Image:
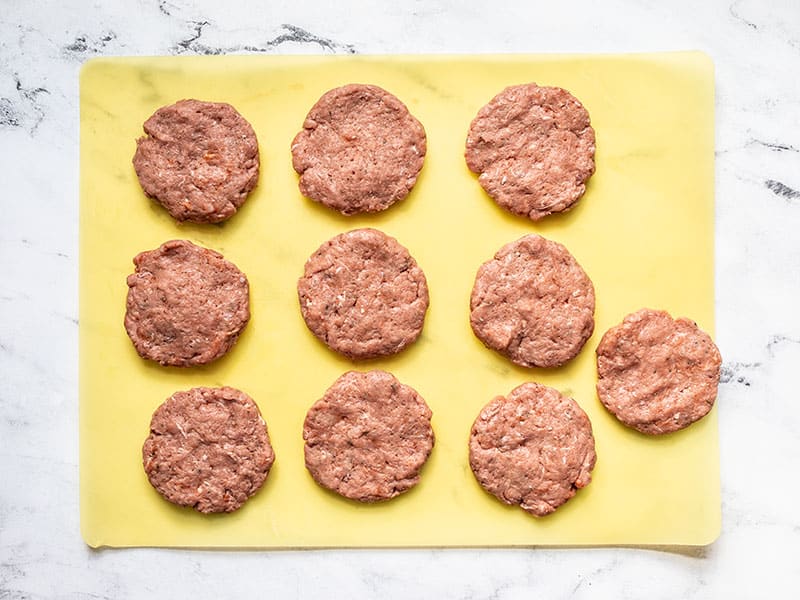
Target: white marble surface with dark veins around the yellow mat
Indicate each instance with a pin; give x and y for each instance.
(756, 48)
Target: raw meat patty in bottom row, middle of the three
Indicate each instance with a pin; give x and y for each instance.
(368, 437)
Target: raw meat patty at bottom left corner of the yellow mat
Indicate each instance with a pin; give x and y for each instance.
(208, 448)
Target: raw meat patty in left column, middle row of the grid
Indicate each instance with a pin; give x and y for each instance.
(186, 305)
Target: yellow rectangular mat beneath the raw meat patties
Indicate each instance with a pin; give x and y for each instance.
(643, 232)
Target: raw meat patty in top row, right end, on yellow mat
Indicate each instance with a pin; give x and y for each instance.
(533, 148)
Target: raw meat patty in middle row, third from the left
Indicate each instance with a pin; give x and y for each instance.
(533, 303)
